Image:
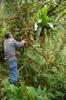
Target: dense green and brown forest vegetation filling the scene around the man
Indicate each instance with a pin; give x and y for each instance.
(42, 61)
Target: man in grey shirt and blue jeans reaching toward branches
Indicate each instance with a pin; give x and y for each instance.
(10, 44)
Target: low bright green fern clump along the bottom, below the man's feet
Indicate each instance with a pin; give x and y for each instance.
(27, 93)
